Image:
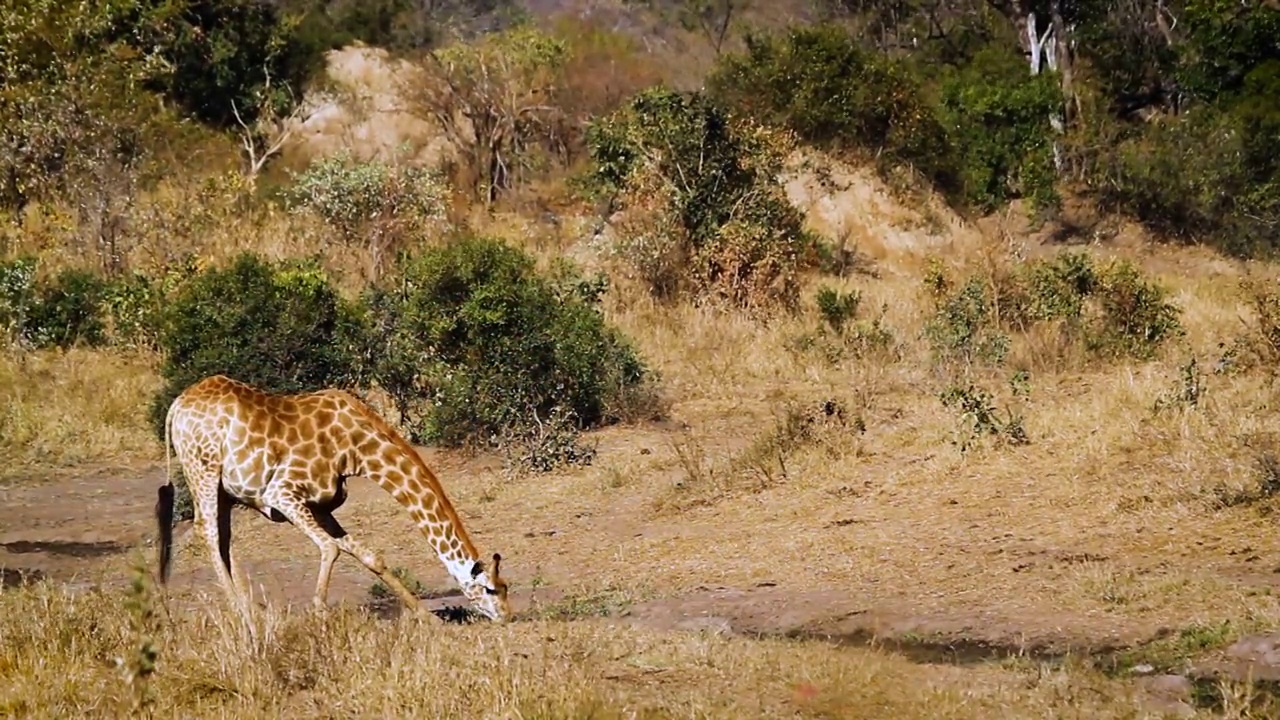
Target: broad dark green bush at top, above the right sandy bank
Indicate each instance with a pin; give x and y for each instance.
(826, 88)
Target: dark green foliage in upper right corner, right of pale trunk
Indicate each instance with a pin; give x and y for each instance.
(1212, 172)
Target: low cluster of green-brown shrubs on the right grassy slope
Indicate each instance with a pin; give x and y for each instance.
(1110, 311)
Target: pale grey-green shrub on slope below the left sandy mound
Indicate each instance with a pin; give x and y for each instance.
(374, 203)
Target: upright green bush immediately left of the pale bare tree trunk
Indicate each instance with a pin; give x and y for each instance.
(999, 120)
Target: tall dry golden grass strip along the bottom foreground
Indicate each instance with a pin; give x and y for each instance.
(351, 666)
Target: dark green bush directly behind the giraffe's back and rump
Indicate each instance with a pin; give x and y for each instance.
(282, 327)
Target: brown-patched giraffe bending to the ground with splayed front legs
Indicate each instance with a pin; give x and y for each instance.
(289, 458)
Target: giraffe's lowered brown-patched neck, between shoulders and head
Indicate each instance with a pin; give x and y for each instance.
(415, 487)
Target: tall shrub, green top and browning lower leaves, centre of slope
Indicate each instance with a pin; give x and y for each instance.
(706, 209)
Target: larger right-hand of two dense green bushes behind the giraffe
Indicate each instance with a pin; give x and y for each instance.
(473, 344)
